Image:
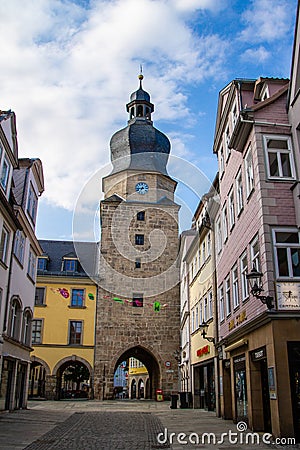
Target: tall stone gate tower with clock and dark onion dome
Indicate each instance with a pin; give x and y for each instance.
(138, 299)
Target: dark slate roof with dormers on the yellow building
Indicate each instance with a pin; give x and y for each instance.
(56, 251)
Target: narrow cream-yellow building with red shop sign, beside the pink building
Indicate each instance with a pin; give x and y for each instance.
(202, 304)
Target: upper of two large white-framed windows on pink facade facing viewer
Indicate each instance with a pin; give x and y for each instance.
(279, 157)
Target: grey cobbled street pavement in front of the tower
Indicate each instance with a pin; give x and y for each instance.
(124, 425)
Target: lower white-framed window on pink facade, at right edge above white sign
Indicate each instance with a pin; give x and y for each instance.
(287, 253)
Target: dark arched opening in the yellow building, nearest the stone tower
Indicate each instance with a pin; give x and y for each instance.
(68, 388)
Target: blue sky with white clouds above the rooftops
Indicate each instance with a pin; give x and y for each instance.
(68, 68)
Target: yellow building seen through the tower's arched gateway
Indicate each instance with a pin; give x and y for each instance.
(138, 379)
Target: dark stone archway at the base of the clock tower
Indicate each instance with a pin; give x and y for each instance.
(149, 360)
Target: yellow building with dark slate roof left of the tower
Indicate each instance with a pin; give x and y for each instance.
(63, 328)
